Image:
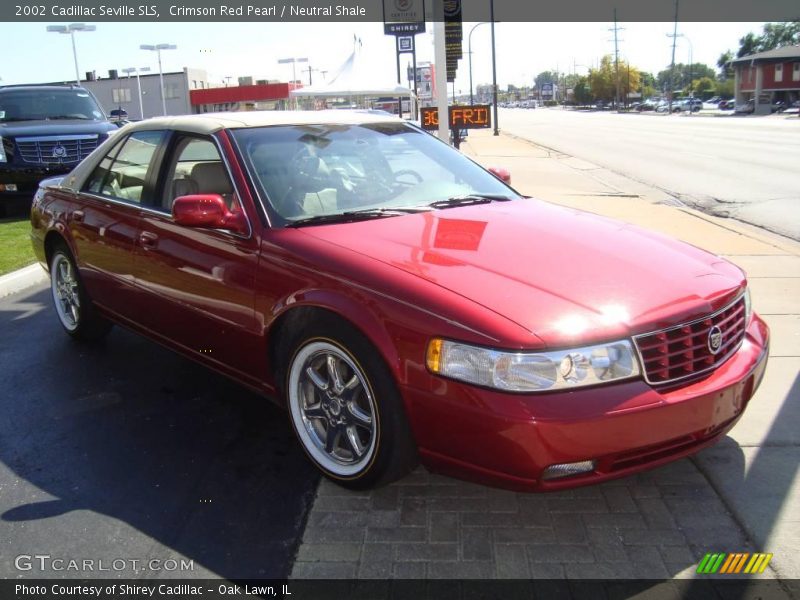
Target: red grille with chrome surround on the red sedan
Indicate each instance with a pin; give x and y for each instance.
(684, 351)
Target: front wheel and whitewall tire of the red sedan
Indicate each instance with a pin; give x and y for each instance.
(344, 406)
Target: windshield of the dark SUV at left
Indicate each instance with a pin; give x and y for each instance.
(48, 104)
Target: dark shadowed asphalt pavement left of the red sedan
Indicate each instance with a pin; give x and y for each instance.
(128, 452)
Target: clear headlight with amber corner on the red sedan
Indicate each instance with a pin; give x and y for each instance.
(532, 371)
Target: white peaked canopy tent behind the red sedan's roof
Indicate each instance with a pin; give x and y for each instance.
(355, 79)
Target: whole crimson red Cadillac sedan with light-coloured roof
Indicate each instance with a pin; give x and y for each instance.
(403, 303)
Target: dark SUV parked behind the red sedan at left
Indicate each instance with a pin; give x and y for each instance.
(45, 130)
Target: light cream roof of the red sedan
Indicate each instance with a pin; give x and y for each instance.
(213, 122)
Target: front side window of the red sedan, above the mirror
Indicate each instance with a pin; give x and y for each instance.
(197, 168)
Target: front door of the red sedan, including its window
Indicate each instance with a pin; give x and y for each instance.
(198, 283)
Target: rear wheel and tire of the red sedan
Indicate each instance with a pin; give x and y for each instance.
(74, 307)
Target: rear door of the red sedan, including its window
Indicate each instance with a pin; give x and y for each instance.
(105, 229)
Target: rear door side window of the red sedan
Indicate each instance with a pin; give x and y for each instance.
(122, 172)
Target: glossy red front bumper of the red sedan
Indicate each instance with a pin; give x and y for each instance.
(509, 440)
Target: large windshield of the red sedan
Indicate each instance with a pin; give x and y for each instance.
(307, 171)
